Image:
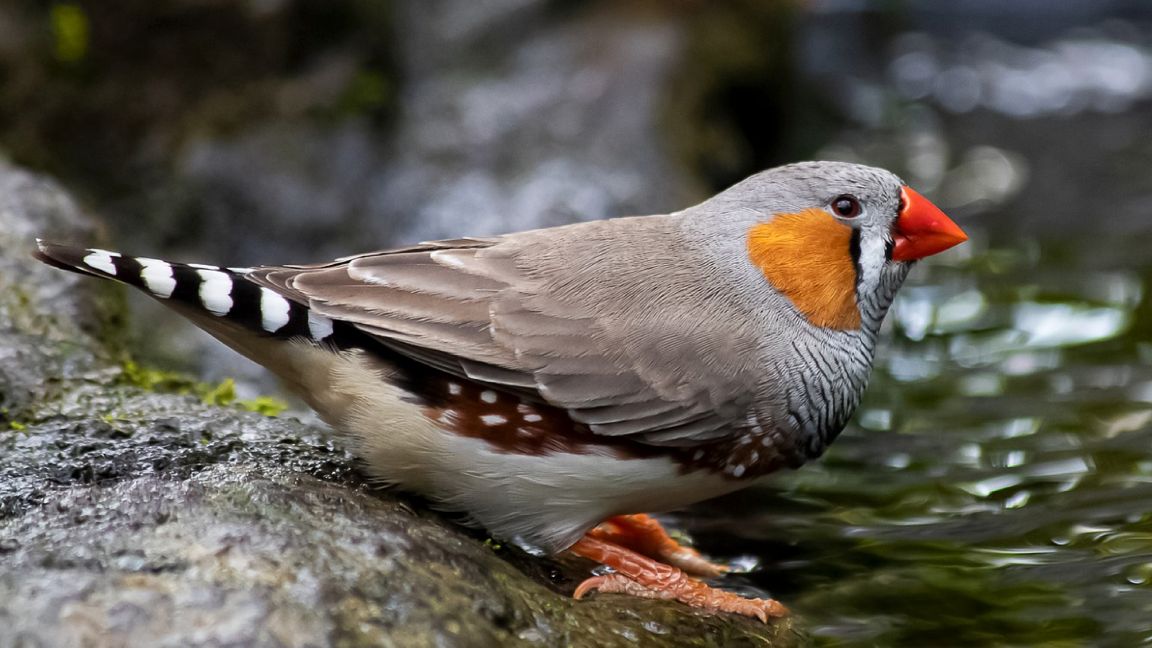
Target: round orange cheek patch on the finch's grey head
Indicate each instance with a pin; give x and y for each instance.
(806, 258)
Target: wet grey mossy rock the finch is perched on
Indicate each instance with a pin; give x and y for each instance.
(132, 517)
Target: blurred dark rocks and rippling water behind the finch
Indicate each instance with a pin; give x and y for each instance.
(996, 488)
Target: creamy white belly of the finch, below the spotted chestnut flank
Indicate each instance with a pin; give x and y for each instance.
(548, 501)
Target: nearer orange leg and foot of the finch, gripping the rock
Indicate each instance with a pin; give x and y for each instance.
(640, 576)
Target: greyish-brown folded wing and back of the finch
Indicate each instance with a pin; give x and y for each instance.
(582, 319)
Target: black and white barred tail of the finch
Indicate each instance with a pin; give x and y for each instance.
(222, 292)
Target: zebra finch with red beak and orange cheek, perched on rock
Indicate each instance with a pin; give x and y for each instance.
(557, 387)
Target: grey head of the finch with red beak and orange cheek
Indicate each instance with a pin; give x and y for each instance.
(837, 239)
